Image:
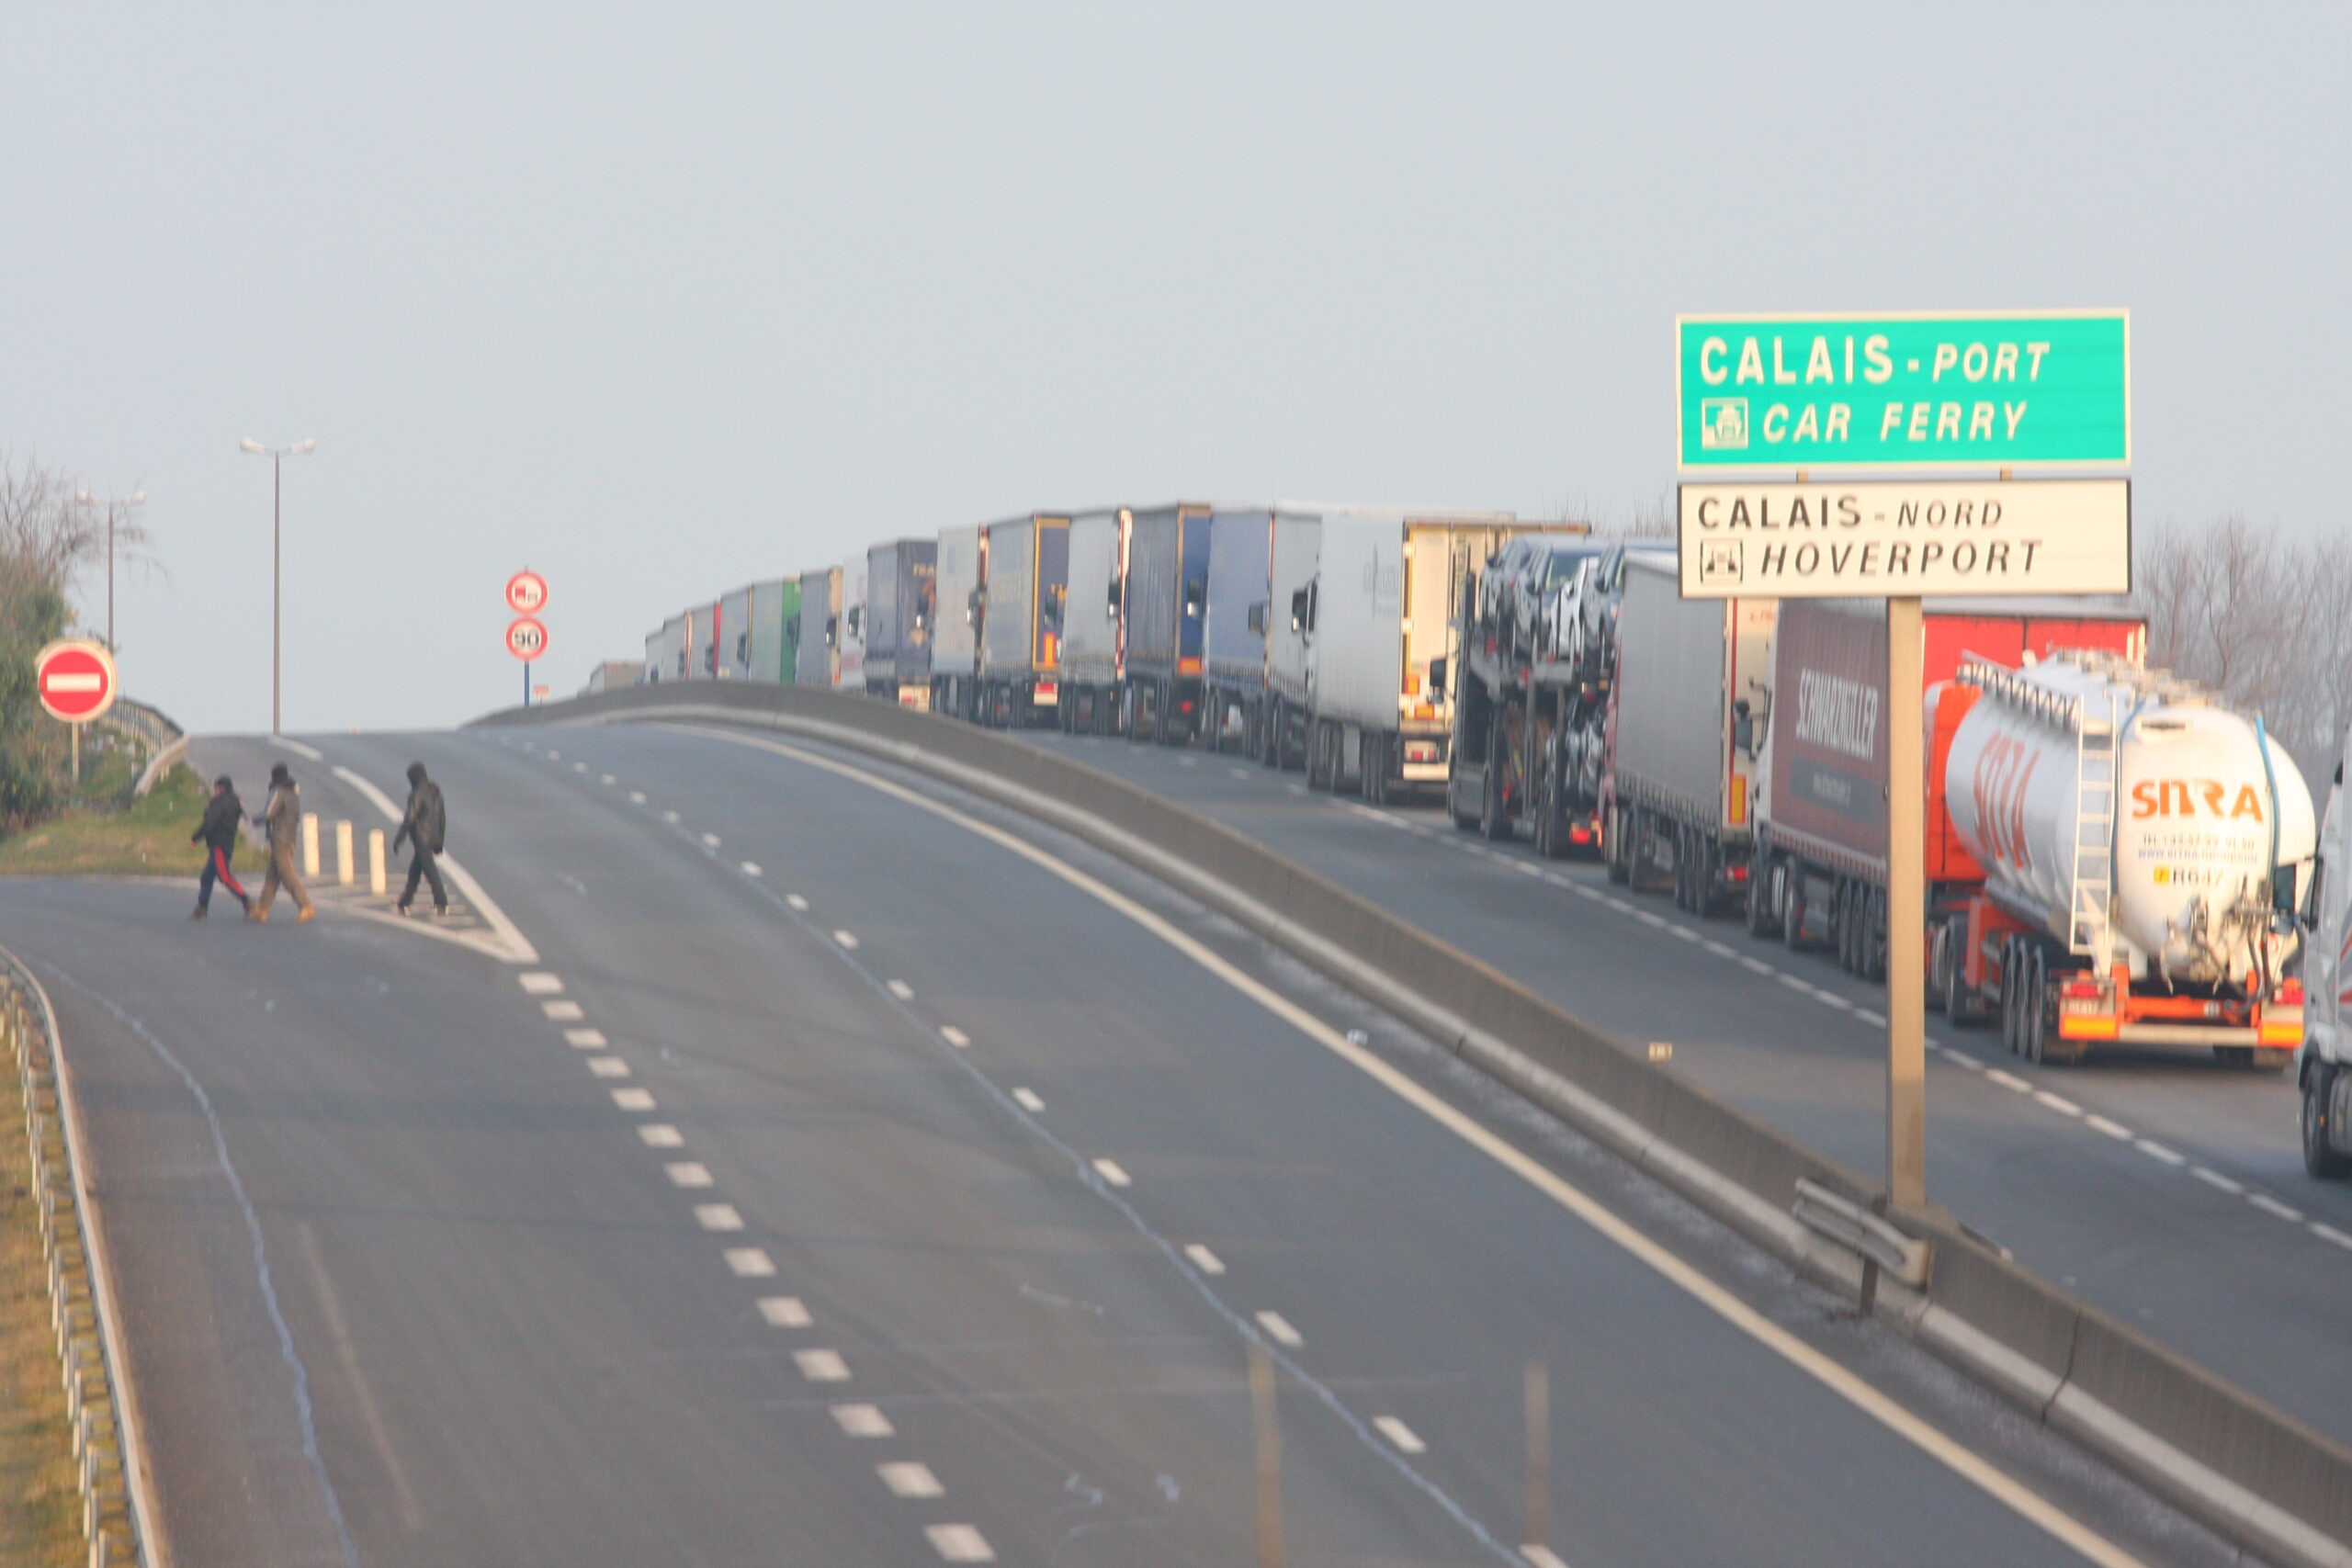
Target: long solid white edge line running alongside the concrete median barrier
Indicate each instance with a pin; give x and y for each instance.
(1683, 1275)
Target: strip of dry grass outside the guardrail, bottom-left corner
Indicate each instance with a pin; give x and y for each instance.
(41, 1510)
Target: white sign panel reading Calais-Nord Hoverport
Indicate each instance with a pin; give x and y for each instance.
(1906, 540)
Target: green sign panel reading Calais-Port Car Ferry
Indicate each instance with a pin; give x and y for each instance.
(1956, 389)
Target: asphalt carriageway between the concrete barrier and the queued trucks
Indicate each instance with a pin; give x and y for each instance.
(2165, 1188)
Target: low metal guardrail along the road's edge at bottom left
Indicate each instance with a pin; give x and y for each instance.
(81, 1306)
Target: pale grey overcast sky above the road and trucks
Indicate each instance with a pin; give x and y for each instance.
(664, 300)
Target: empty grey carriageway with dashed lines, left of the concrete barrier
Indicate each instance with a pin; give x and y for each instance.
(909, 1188)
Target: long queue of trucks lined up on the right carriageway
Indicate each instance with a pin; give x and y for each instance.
(2113, 857)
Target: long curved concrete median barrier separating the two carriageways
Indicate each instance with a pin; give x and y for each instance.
(2236, 1463)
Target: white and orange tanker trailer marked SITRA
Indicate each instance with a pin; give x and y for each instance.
(2141, 850)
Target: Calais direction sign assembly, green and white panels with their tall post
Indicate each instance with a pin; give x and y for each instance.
(1951, 391)
